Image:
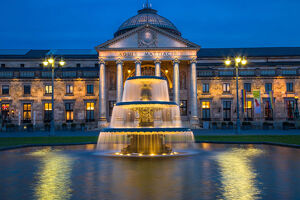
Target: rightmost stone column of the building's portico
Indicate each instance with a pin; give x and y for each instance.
(193, 93)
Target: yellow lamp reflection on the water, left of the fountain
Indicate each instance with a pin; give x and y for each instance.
(54, 175)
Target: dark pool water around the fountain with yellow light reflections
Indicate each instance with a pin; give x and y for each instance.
(216, 172)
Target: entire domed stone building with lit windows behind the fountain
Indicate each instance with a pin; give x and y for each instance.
(89, 85)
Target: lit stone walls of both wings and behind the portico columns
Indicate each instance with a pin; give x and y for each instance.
(32, 74)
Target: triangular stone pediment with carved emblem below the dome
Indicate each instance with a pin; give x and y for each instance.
(148, 37)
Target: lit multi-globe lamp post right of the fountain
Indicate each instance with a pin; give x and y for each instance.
(237, 60)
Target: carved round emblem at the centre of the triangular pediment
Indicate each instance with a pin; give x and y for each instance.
(147, 38)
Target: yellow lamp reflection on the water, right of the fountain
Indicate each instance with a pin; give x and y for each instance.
(237, 174)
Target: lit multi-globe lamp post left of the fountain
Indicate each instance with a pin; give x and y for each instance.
(51, 60)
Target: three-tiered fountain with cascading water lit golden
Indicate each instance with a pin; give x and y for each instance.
(145, 122)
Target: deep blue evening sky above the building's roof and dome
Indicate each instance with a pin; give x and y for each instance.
(83, 24)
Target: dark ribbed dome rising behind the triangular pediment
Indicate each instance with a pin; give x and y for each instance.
(147, 15)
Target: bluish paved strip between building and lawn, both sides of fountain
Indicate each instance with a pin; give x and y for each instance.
(196, 132)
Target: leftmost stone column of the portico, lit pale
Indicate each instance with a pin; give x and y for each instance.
(102, 95)
